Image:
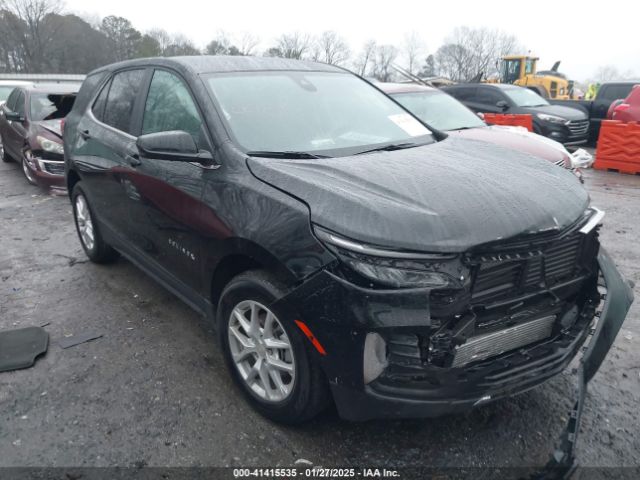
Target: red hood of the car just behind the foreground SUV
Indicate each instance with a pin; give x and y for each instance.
(517, 138)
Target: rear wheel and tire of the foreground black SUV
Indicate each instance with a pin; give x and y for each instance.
(88, 230)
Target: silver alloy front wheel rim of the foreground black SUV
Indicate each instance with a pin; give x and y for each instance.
(261, 351)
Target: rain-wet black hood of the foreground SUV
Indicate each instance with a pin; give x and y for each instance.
(444, 197)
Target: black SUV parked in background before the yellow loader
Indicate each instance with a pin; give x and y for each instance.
(564, 124)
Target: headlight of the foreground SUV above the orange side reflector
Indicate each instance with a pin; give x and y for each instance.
(388, 267)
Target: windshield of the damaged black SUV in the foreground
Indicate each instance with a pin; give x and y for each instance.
(333, 113)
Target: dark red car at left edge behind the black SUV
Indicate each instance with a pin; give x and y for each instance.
(31, 124)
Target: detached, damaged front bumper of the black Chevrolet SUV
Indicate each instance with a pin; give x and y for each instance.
(341, 315)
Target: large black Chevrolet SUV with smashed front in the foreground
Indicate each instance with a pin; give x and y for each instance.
(345, 250)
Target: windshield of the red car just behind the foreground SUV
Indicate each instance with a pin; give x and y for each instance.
(439, 110)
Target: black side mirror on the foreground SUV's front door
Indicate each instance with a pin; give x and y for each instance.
(176, 145)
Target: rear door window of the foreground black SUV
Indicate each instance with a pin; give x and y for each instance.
(125, 88)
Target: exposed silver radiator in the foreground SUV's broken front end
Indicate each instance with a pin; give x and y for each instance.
(491, 344)
